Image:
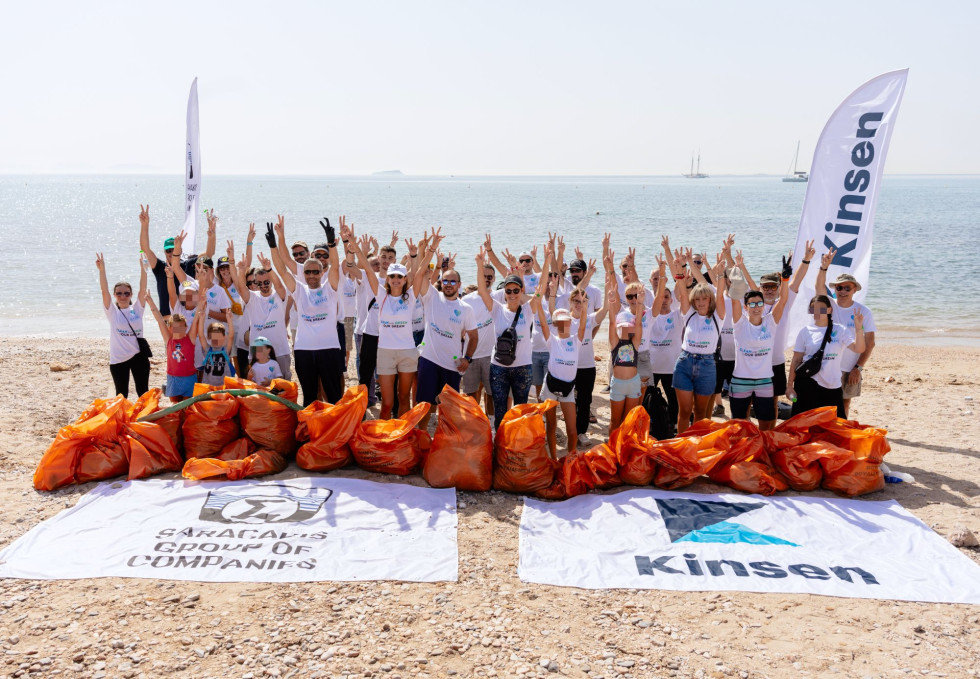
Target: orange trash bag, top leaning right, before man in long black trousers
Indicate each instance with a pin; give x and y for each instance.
(329, 429)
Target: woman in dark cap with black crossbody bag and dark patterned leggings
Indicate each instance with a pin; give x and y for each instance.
(513, 379)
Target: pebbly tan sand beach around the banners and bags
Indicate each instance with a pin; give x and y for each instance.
(488, 623)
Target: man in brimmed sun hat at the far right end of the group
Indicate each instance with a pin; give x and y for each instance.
(845, 286)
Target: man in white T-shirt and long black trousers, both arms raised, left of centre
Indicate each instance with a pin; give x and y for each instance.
(319, 357)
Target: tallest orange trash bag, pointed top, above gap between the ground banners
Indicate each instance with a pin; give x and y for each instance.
(462, 447)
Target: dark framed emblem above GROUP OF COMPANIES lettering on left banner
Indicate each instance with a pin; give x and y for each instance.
(266, 503)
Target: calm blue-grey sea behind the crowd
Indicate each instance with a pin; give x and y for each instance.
(926, 231)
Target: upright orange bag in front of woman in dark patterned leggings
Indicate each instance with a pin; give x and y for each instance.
(521, 450)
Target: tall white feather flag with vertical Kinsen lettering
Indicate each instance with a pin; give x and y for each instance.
(841, 195)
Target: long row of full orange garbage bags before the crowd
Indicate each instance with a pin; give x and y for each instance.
(235, 436)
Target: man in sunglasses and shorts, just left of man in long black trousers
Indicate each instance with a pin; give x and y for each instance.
(265, 308)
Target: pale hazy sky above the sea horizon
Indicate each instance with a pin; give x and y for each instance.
(476, 88)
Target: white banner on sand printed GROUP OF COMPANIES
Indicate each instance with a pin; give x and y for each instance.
(290, 530)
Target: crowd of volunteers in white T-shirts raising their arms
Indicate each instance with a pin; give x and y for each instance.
(412, 327)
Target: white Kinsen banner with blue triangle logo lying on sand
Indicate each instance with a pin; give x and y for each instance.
(651, 539)
